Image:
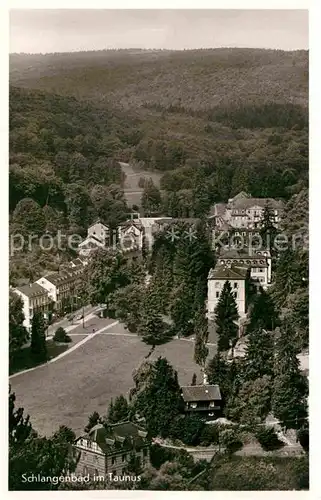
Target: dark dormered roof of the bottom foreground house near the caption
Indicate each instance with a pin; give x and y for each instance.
(118, 437)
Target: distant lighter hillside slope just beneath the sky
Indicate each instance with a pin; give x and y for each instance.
(196, 79)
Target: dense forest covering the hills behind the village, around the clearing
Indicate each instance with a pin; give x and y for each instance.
(212, 122)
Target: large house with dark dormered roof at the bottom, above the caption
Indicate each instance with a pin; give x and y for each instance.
(107, 449)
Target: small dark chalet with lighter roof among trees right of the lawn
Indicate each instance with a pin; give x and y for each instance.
(203, 399)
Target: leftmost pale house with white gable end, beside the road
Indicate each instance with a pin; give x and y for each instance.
(35, 298)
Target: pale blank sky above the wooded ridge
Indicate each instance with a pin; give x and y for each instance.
(42, 31)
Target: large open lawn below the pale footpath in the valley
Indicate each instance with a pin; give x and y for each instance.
(67, 391)
